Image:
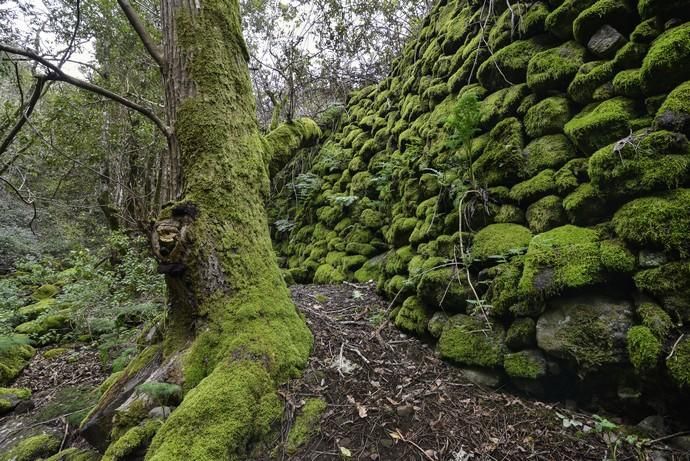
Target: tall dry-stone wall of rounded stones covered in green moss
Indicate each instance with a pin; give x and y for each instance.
(556, 249)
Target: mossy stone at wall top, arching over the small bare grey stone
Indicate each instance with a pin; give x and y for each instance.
(618, 14)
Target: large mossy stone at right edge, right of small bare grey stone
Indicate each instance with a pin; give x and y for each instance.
(665, 66)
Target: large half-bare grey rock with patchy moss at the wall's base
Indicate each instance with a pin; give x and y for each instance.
(589, 329)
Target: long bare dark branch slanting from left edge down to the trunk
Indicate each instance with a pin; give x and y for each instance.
(56, 74)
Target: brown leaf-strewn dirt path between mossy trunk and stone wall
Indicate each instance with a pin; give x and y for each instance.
(395, 400)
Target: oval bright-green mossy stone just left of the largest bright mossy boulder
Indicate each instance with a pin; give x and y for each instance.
(498, 240)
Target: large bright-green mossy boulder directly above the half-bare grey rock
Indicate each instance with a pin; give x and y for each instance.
(565, 257)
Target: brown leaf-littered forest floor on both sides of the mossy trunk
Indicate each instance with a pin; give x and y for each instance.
(388, 396)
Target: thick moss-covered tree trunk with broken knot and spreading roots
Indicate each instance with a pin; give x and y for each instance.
(232, 332)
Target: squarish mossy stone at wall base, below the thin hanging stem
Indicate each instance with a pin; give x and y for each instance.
(470, 341)
